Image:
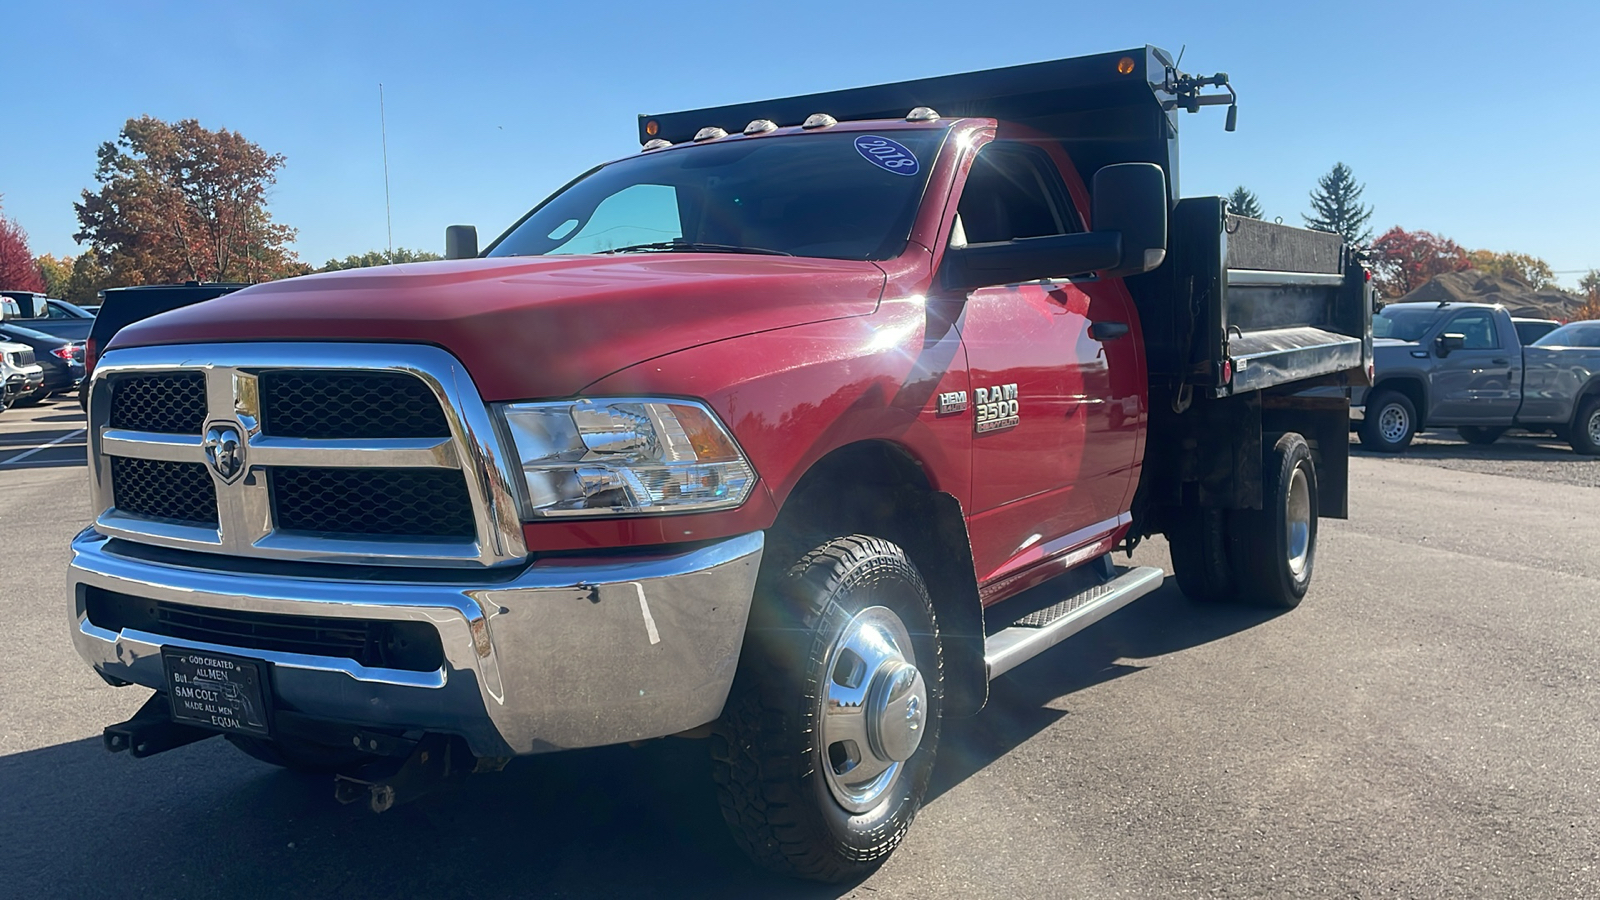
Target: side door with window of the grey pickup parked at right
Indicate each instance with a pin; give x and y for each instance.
(1479, 384)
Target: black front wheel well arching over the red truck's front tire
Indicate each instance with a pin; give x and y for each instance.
(881, 489)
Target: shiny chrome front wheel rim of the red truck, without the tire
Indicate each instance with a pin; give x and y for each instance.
(874, 707)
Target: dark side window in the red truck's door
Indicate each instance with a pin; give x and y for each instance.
(1014, 191)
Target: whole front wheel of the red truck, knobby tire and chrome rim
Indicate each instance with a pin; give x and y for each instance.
(828, 739)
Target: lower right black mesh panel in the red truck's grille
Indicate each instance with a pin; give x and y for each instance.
(418, 504)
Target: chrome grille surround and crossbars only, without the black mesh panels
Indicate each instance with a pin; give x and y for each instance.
(244, 507)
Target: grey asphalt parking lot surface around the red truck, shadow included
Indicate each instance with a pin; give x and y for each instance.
(1423, 726)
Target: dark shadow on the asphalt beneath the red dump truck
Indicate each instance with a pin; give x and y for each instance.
(615, 822)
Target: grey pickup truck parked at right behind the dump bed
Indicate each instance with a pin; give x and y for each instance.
(1462, 366)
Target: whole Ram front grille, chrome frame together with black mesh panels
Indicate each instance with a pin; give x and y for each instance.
(364, 454)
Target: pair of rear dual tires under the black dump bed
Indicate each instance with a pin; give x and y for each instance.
(1257, 556)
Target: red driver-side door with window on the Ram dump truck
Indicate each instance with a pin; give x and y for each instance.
(1055, 408)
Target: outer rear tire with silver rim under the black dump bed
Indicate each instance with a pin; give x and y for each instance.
(1274, 548)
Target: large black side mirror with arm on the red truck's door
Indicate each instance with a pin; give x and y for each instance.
(1129, 238)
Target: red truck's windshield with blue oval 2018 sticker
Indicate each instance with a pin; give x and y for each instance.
(838, 196)
